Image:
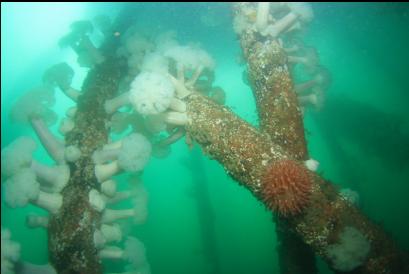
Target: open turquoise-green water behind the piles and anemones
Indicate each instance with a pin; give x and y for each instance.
(360, 136)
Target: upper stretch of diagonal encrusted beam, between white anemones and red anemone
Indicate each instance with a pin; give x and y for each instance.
(243, 151)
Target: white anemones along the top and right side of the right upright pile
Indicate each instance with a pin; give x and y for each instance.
(279, 21)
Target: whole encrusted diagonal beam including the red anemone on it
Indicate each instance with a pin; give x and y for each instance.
(312, 207)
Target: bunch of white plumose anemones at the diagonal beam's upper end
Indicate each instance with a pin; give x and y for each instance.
(158, 88)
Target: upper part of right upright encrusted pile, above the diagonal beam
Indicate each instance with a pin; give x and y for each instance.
(277, 103)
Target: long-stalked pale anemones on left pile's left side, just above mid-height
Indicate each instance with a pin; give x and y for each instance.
(34, 107)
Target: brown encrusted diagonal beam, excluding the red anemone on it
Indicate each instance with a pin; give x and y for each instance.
(246, 153)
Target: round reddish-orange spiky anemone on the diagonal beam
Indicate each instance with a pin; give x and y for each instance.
(286, 187)
